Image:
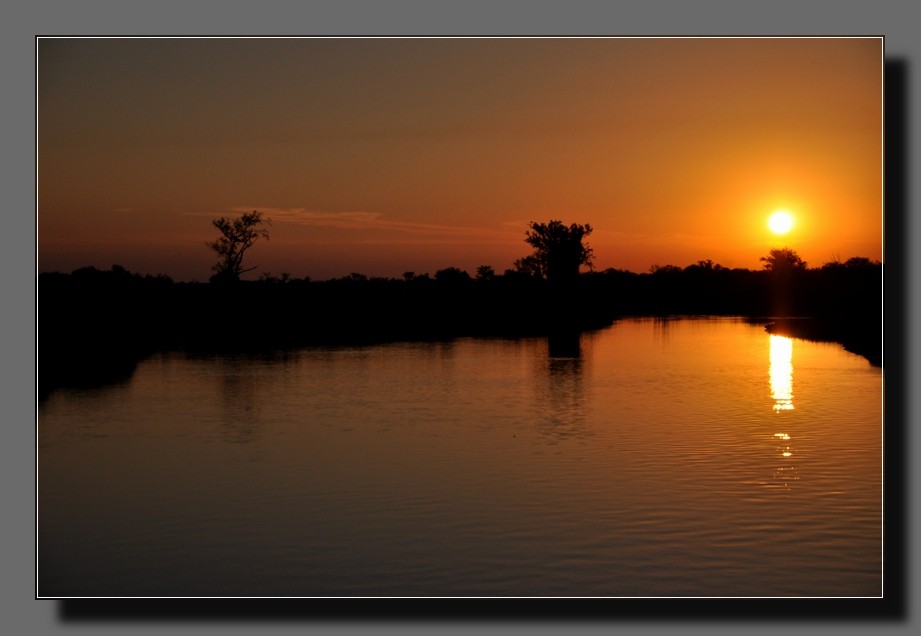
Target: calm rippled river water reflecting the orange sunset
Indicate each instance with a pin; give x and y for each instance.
(669, 458)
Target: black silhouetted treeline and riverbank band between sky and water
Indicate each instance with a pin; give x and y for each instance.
(95, 325)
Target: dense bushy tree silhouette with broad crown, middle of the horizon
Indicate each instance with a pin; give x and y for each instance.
(559, 250)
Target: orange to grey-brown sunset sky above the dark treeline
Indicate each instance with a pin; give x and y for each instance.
(382, 156)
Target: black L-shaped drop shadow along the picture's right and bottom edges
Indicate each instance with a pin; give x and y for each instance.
(892, 607)
